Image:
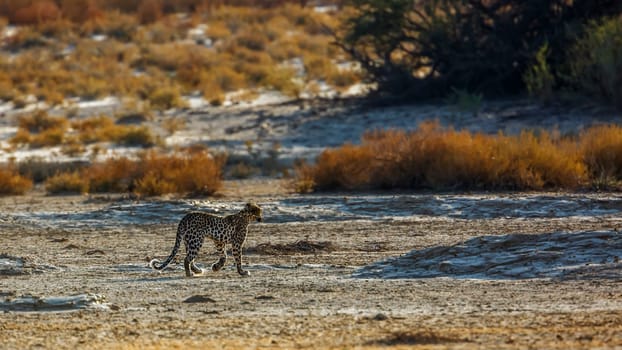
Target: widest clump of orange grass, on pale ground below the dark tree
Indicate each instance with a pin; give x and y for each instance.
(433, 157)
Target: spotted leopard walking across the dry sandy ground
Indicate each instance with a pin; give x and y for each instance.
(222, 230)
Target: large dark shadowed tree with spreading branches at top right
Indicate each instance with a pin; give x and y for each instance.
(425, 48)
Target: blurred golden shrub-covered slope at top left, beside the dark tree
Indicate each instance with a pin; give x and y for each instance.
(140, 51)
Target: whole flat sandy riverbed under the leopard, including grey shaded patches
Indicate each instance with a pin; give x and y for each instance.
(67, 282)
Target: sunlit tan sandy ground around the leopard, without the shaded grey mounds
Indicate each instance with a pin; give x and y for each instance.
(297, 298)
